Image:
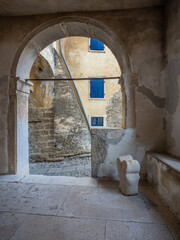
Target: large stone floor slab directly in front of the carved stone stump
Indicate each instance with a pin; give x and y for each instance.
(104, 203)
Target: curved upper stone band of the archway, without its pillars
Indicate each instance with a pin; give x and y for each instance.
(49, 32)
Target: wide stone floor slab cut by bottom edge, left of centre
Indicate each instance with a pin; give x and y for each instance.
(57, 228)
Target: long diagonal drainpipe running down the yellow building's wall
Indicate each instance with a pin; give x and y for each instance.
(72, 83)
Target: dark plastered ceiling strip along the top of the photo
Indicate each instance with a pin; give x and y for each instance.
(34, 7)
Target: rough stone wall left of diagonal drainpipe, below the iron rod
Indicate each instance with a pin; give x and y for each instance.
(71, 133)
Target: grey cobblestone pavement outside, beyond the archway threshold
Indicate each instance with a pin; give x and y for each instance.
(76, 167)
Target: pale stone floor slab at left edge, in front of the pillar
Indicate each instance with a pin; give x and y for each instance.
(32, 198)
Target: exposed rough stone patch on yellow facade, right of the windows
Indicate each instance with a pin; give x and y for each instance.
(114, 111)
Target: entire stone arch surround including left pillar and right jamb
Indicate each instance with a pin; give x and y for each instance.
(26, 55)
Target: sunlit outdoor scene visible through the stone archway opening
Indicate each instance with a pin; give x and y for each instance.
(59, 129)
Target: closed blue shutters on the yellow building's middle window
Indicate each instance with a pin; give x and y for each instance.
(97, 88)
